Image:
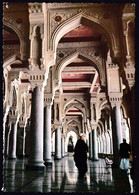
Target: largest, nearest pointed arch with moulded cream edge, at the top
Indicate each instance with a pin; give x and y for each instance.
(76, 21)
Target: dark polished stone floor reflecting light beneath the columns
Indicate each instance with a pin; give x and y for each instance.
(63, 177)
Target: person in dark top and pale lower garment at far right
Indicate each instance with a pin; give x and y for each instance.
(124, 154)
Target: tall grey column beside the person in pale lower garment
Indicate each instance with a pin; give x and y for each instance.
(116, 134)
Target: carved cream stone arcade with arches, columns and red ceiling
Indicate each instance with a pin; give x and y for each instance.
(68, 68)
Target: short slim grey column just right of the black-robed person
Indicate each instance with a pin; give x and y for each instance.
(94, 145)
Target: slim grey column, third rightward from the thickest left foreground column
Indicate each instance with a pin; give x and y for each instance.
(58, 144)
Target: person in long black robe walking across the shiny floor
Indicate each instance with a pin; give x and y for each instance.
(80, 156)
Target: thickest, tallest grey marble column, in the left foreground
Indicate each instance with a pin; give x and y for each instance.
(35, 160)
